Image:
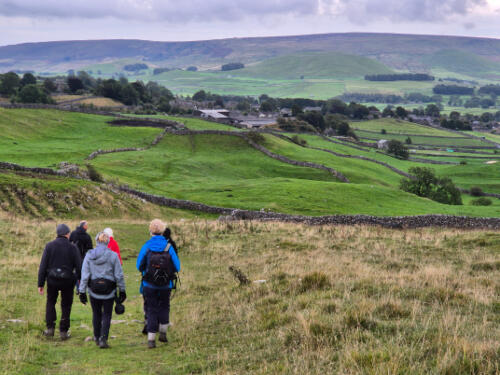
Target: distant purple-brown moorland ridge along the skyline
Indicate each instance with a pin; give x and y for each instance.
(398, 51)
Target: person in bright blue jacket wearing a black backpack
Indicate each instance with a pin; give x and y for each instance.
(157, 291)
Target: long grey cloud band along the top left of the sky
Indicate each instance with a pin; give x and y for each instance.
(156, 10)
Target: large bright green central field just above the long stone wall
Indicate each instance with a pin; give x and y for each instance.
(225, 171)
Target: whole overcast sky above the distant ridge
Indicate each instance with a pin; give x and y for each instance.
(170, 20)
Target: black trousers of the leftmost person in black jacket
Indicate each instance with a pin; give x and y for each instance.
(53, 290)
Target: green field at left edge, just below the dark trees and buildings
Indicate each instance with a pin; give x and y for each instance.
(46, 137)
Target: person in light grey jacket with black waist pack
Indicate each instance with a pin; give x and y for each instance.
(102, 273)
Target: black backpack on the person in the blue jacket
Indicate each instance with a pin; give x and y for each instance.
(160, 269)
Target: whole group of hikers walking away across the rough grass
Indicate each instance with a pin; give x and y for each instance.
(72, 260)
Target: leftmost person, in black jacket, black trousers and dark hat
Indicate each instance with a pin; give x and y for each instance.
(60, 266)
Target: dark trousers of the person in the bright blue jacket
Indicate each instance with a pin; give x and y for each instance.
(157, 307)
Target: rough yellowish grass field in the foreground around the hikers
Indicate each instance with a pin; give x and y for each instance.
(350, 300)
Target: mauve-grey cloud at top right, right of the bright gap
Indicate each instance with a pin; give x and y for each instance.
(366, 11)
